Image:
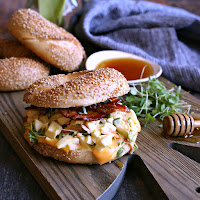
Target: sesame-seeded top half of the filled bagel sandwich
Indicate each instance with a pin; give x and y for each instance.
(77, 89)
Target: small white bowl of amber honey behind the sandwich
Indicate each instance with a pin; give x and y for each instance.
(135, 68)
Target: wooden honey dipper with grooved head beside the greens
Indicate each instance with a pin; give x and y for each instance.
(179, 124)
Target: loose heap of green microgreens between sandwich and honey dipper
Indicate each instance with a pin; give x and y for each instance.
(152, 99)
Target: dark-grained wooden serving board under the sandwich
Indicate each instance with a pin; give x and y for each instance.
(177, 174)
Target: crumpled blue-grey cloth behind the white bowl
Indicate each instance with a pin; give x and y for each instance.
(166, 35)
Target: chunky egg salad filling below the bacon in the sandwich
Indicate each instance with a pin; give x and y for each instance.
(109, 137)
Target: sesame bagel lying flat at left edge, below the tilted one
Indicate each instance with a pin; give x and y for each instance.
(19, 73)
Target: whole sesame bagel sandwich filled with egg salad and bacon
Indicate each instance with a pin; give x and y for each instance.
(79, 118)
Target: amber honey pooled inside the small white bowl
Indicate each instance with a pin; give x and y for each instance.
(129, 67)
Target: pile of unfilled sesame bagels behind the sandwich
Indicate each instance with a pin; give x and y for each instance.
(44, 42)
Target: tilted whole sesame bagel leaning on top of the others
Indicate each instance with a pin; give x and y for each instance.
(48, 41)
